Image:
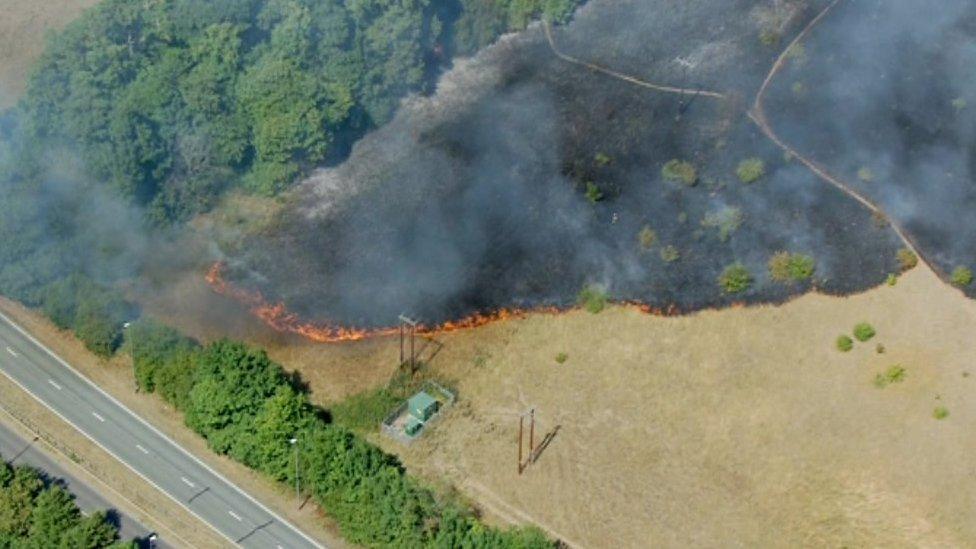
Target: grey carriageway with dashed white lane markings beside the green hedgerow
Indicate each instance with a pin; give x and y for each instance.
(141, 447)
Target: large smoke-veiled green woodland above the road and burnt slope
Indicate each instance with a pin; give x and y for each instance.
(169, 103)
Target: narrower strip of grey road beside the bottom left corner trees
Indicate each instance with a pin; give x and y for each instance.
(26, 452)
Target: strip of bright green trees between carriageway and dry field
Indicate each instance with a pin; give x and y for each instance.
(246, 407)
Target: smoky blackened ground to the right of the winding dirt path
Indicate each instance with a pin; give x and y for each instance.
(880, 81)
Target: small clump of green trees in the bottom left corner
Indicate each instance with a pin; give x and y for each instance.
(35, 512)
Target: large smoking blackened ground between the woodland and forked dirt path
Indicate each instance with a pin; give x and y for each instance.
(485, 207)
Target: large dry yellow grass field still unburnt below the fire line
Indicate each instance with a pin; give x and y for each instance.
(740, 427)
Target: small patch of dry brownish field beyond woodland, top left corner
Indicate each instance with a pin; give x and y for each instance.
(23, 26)
